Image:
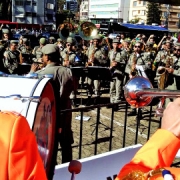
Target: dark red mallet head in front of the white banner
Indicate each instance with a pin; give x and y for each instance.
(74, 168)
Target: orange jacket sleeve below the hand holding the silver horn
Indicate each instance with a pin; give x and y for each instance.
(158, 152)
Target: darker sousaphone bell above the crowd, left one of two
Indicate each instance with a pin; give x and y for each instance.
(65, 30)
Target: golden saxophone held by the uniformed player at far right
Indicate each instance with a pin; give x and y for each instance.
(164, 73)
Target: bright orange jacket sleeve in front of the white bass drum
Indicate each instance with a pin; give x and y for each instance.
(19, 157)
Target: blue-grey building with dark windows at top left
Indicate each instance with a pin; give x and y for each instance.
(40, 12)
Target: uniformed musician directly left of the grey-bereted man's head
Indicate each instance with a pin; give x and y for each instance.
(37, 50)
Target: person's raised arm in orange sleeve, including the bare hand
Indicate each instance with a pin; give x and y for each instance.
(156, 156)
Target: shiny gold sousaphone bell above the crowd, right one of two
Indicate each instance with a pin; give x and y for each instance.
(87, 30)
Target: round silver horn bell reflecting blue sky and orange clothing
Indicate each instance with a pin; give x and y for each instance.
(134, 85)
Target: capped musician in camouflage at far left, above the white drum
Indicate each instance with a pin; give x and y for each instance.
(12, 58)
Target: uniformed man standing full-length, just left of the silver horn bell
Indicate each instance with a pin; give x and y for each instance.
(117, 67)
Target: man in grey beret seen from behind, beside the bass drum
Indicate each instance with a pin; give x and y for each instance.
(64, 81)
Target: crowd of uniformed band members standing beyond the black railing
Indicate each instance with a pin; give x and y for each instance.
(120, 56)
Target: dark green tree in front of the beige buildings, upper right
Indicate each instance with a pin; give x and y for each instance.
(153, 13)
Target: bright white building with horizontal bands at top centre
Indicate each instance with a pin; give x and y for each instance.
(105, 10)
